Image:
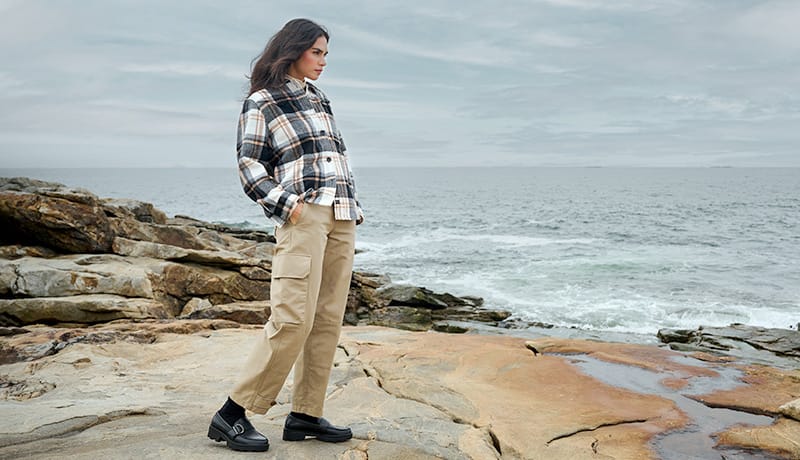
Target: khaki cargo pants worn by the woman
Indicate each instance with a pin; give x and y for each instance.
(311, 272)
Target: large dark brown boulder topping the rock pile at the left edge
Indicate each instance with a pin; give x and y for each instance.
(57, 223)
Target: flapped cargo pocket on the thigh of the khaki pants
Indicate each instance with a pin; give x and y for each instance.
(289, 288)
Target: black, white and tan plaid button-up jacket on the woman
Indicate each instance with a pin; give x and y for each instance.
(290, 150)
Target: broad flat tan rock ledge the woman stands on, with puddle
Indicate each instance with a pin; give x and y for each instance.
(148, 389)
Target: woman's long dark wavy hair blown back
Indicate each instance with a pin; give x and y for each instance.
(285, 47)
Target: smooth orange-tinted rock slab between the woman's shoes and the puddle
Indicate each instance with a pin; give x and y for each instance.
(534, 406)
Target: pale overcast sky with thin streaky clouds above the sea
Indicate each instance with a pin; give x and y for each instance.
(144, 83)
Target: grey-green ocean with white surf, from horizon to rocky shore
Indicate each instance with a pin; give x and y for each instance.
(622, 250)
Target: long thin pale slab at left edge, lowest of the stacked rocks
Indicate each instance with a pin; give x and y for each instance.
(88, 309)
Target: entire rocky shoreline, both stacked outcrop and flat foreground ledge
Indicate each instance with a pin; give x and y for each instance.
(115, 318)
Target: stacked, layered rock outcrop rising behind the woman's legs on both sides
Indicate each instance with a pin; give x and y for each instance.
(155, 260)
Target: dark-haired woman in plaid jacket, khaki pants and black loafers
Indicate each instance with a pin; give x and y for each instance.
(292, 162)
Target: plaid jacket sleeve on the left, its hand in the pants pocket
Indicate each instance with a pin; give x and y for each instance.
(256, 166)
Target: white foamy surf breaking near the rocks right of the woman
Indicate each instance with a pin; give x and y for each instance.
(603, 310)
